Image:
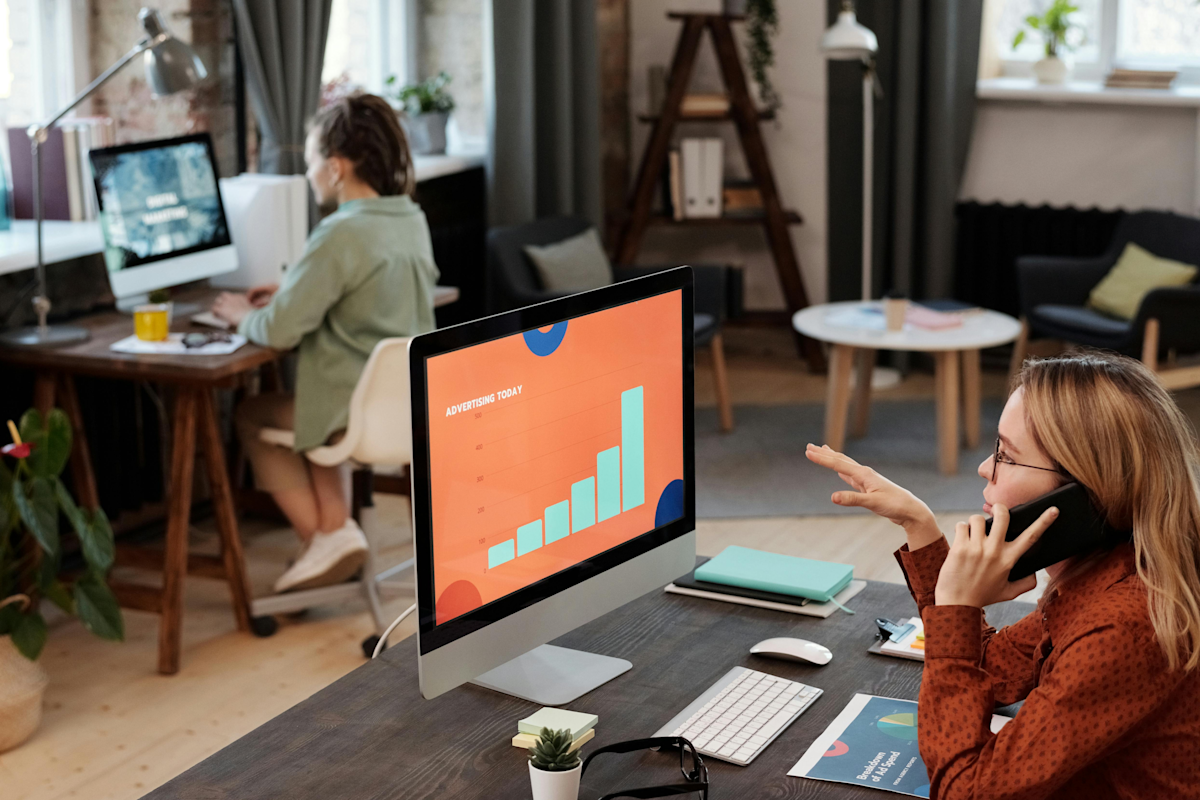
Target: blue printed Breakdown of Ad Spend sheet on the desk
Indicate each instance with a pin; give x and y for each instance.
(873, 743)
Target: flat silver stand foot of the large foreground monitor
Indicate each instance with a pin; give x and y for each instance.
(553, 676)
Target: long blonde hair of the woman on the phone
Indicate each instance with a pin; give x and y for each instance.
(1107, 420)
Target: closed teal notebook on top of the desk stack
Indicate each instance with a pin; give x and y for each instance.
(787, 575)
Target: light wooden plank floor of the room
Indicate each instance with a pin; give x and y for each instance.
(115, 730)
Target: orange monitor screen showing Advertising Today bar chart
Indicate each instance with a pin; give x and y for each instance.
(550, 447)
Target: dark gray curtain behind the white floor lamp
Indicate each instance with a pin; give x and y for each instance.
(928, 65)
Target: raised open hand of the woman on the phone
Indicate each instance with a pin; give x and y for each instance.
(879, 495)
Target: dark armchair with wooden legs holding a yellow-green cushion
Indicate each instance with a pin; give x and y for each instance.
(1054, 296)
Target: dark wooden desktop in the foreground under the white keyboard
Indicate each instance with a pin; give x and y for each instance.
(371, 736)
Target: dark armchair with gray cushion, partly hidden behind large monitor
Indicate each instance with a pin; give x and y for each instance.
(515, 284)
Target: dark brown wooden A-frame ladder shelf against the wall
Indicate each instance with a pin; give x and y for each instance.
(776, 220)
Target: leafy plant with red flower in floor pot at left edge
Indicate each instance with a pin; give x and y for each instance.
(32, 498)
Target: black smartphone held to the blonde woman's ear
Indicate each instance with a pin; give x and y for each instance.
(1079, 530)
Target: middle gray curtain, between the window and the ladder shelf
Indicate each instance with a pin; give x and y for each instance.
(543, 111)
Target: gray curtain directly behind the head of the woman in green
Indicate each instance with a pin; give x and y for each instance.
(284, 49)
